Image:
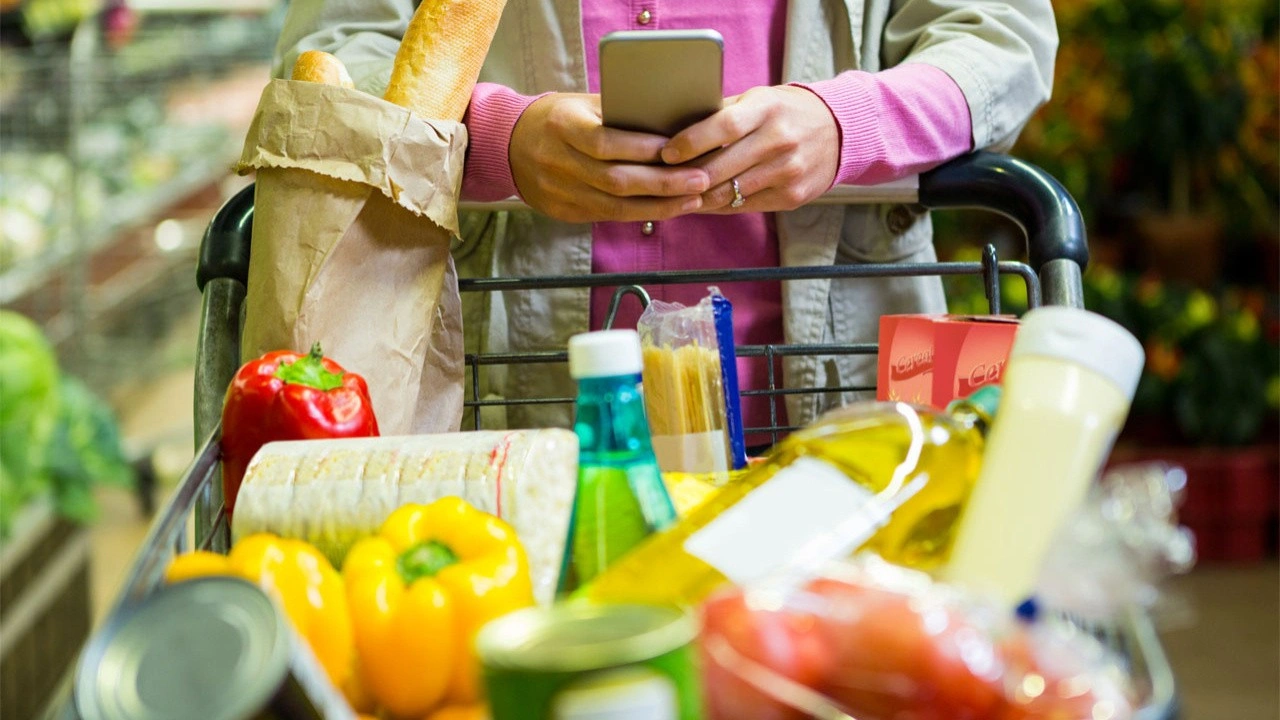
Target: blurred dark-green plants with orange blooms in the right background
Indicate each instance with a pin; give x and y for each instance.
(1165, 127)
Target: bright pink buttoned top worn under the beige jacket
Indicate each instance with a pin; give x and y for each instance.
(893, 125)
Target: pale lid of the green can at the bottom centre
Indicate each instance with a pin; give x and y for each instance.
(578, 636)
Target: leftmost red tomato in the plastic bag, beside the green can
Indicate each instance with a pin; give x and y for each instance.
(785, 642)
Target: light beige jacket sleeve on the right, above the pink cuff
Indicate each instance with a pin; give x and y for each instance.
(1000, 54)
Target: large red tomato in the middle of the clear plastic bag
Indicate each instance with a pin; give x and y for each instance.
(895, 663)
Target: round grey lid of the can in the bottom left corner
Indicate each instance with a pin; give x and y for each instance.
(216, 649)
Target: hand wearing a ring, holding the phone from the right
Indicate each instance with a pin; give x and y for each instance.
(781, 144)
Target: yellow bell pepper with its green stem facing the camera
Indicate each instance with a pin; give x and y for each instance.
(420, 590)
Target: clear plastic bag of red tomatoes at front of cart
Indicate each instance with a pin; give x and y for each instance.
(876, 642)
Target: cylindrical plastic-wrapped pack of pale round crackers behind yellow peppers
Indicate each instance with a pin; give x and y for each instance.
(335, 493)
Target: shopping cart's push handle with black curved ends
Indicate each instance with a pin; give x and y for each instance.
(984, 181)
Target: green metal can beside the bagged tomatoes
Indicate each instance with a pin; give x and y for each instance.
(580, 662)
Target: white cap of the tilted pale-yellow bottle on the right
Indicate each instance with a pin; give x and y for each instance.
(1084, 339)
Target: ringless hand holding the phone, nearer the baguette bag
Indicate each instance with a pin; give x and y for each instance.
(568, 166)
